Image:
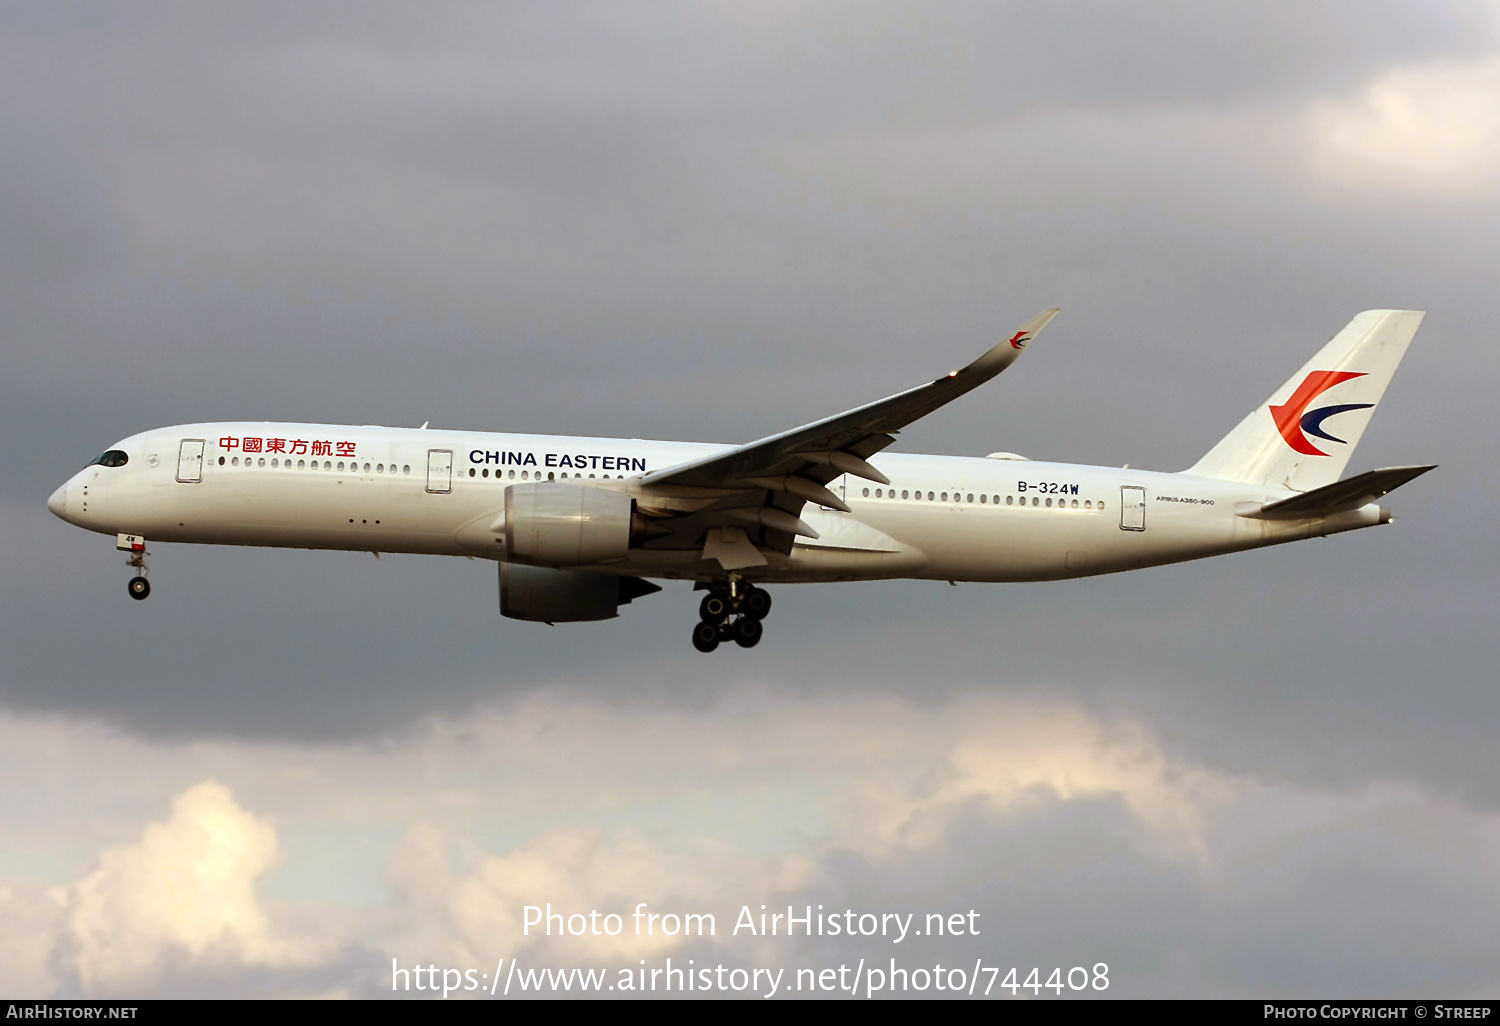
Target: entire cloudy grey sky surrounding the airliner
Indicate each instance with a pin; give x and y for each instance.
(1264, 775)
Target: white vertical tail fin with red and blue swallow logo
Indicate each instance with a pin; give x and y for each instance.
(1303, 437)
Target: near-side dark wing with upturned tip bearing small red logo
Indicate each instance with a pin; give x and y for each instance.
(761, 487)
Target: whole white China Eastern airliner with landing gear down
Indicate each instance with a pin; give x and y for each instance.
(581, 526)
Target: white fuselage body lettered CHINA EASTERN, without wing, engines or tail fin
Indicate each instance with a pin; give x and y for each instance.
(392, 490)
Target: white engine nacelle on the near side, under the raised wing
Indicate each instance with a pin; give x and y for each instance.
(557, 524)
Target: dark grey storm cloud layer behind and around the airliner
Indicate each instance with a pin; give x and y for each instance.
(595, 223)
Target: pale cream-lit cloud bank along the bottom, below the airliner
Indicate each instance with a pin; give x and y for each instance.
(755, 800)
